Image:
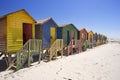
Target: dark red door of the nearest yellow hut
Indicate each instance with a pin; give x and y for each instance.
(27, 32)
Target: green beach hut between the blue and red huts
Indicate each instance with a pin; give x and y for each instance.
(67, 33)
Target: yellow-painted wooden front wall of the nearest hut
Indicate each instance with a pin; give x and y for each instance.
(14, 29)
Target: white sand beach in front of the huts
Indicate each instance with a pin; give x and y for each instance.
(99, 63)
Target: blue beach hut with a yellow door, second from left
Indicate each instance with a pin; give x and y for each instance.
(46, 30)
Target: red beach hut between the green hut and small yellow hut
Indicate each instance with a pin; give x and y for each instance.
(83, 37)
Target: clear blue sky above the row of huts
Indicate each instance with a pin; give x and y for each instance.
(101, 16)
